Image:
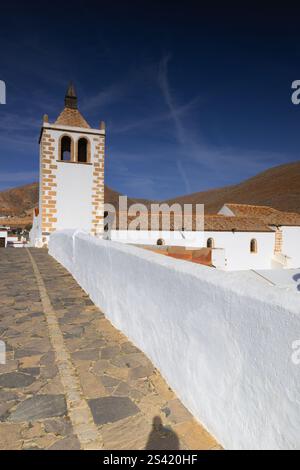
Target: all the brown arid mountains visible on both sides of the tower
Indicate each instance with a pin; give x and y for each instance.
(278, 187)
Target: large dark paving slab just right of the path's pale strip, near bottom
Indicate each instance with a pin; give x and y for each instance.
(111, 409)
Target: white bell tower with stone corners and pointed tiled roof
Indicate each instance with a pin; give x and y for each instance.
(71, 173)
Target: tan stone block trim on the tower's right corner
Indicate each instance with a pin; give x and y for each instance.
(98, 188)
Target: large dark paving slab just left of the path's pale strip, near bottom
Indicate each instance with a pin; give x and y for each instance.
(39, 407)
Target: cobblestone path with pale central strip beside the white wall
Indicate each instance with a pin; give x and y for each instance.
(71, 380)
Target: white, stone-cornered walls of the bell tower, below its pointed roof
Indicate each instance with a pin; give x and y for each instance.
(71, 193)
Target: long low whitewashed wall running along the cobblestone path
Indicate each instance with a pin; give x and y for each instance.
(222, 341)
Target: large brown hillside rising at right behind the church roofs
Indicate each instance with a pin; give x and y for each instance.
(278, 187)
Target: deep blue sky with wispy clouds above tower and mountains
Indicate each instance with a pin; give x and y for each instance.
(193, 97)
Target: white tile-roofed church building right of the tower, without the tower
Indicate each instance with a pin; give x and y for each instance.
(239, 237)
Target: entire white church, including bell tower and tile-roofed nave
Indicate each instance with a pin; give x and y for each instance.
(239, 237)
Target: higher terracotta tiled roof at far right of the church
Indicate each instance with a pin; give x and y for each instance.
(267, 214)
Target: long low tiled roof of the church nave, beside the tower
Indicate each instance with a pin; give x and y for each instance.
(212, 223)
